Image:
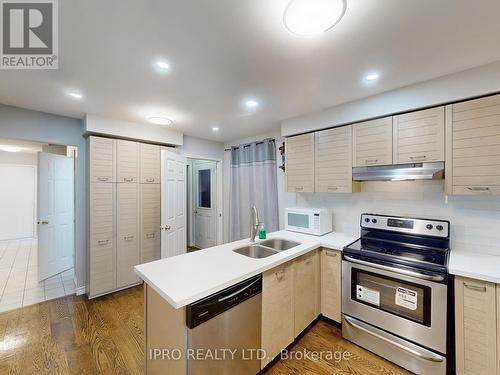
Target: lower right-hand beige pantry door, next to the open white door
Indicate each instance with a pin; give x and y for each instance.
(150, 222)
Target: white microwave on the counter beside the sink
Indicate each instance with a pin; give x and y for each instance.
(316, 221)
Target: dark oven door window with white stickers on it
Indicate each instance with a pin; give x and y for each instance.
(404, 299)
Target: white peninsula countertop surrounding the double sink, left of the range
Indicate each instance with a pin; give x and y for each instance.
(187, 278)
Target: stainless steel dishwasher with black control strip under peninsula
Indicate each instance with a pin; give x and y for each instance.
(224, 331)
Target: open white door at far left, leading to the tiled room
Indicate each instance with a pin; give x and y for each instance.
(56, 228)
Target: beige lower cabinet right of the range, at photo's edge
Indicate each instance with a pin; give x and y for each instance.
(477, 316)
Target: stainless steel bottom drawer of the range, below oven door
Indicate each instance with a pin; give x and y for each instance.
(403, 353)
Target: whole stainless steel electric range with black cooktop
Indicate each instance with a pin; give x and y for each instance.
(396, 292)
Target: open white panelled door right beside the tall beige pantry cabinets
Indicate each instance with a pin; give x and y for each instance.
(173, 204)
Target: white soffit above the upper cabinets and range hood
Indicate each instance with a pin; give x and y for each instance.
(454, 87)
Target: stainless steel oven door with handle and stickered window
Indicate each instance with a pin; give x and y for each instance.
(406, 306)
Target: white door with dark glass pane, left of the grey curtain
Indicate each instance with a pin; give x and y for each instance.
(205, 203)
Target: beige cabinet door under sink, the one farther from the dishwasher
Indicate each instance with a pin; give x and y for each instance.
(306, 274)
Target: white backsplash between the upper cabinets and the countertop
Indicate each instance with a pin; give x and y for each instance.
(475, 220)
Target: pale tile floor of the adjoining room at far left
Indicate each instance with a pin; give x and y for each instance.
(19, 284)
